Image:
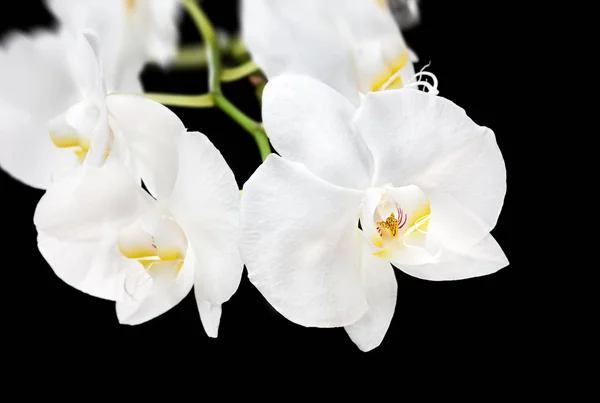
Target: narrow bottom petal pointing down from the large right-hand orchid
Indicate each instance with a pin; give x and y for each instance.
(381, 290)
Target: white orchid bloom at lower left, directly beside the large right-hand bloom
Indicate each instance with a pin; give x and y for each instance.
(102, 234)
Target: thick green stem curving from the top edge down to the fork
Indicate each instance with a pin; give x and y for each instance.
(212, 44)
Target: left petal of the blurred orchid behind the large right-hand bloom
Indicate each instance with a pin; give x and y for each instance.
(299, 37)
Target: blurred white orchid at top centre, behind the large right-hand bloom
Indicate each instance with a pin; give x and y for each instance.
(353, 46)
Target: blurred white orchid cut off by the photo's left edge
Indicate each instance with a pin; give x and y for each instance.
(51, 104)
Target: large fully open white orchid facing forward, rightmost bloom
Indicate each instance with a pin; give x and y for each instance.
(423, 181)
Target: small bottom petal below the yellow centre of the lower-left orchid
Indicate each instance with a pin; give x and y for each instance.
(163, 296)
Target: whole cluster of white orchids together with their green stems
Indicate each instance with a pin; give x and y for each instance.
(373, 167)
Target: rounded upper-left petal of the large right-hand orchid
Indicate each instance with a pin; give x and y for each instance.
(309, 122)
